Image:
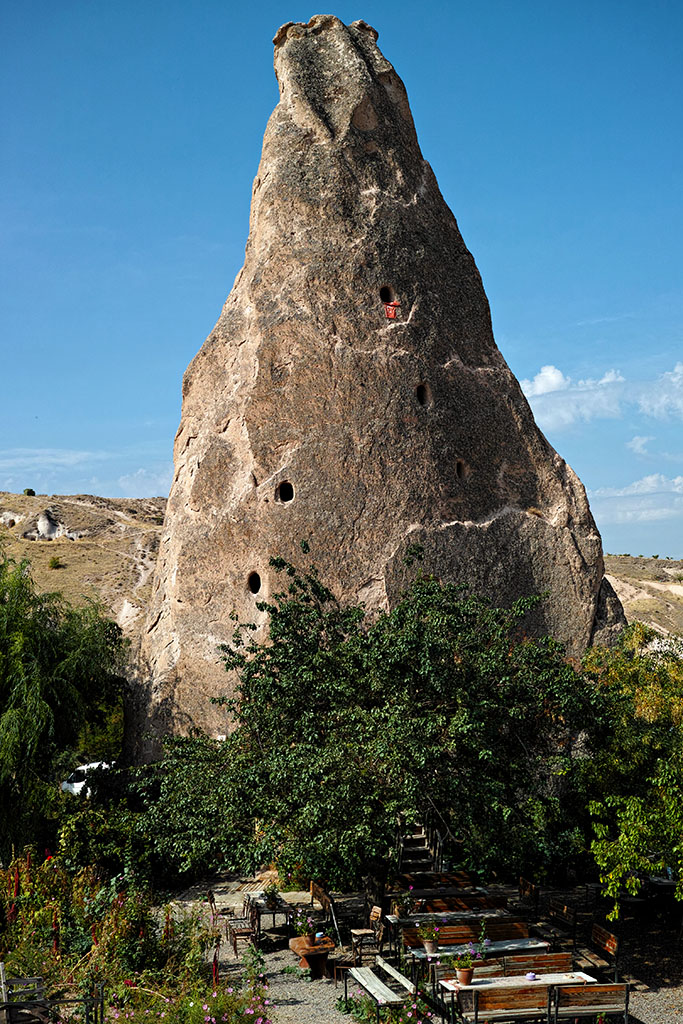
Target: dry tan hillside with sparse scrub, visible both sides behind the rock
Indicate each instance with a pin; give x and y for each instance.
(108, 550)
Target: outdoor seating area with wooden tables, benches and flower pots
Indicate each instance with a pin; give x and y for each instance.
(539, 955)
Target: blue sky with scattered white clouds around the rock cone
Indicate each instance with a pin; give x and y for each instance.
(132, 134)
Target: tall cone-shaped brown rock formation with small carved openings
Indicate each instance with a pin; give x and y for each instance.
(352, 395)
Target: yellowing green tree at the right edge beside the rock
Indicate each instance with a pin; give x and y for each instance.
(638, 767)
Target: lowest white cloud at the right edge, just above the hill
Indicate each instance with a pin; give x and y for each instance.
(652, 499)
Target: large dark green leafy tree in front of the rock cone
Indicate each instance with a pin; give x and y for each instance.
(344, 728)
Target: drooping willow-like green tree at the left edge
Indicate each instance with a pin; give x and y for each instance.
(60, 675)
